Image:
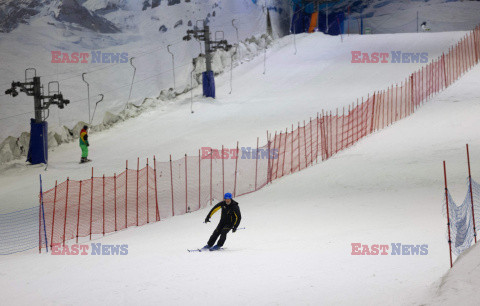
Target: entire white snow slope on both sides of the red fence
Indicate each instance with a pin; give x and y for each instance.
(296, 248)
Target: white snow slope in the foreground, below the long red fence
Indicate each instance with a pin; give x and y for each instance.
(296, 248)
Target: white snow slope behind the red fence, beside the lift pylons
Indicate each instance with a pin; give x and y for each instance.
(294, 87)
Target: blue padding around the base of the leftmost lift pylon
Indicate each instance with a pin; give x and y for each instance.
(38, 149)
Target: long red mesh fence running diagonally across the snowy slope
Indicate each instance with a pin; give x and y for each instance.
(102, 205)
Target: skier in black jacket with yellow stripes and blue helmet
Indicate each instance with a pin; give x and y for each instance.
(229, 220)
